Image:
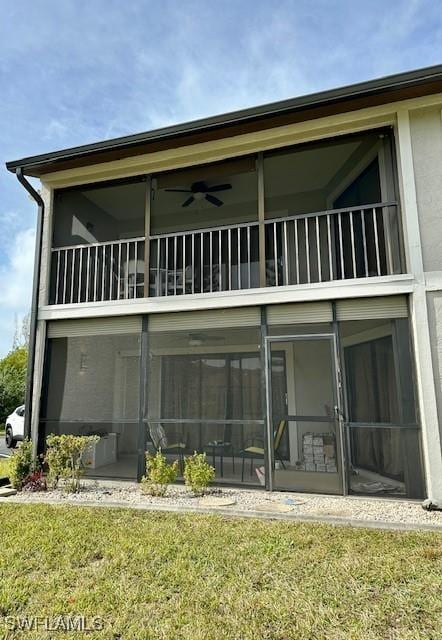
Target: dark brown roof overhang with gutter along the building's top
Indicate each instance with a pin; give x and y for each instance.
(402, 86)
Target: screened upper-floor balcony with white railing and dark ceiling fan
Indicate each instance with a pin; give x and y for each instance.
(316, 213)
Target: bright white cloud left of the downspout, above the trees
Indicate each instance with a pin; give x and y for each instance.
(15, 284)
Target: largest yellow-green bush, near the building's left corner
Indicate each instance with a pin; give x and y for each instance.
(65, 459)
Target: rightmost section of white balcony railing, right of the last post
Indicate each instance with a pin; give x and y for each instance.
(333, 245)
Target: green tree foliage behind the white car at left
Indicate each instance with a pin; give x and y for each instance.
(12, 381)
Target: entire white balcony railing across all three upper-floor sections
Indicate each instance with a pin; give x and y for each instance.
(356, 242)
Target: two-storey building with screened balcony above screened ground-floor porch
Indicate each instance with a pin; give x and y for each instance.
(264, 286)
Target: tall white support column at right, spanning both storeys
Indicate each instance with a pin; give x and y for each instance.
(431, 441)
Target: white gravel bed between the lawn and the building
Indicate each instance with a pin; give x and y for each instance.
(348, 507)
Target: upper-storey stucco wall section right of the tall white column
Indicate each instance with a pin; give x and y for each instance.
(426, 138)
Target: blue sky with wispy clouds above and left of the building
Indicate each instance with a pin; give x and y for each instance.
(78, 71)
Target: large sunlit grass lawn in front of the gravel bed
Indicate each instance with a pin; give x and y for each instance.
(172, 576)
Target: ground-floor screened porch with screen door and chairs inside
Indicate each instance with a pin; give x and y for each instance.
(313, 397)
